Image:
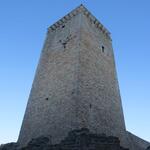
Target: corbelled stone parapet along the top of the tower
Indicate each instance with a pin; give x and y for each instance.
(80, 9)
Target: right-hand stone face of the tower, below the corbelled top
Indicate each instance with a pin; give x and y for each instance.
(98, 86)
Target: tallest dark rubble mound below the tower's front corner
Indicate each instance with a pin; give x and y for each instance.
(84, 140)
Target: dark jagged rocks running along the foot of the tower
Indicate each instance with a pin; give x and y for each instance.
(76, 140)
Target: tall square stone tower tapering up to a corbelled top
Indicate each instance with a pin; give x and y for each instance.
(75, 85)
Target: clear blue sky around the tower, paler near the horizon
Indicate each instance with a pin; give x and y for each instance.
(23, 26)
